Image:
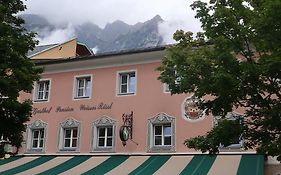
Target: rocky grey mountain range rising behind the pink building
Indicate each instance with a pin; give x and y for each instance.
(114, 36)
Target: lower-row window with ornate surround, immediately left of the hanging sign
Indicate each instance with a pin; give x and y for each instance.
(104, 134)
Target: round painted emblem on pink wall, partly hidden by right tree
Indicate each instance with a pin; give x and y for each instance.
(191, 110)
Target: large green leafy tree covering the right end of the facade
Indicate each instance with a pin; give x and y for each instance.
(236, 62)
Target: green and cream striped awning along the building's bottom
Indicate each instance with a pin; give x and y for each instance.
(138, 164)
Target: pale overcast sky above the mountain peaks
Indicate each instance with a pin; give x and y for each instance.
(176, 13)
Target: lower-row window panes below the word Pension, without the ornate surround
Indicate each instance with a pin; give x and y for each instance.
(70, 137)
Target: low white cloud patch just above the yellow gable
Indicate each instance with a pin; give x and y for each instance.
(57, 36)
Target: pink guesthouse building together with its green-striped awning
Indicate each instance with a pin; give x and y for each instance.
(112, 115)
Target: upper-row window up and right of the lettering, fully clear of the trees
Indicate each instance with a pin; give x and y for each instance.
(127, 83)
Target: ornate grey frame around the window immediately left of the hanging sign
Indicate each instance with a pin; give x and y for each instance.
(103, 122)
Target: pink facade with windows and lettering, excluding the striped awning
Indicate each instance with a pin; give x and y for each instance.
(78, 106)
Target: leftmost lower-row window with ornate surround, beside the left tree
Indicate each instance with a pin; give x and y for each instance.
(36, 136)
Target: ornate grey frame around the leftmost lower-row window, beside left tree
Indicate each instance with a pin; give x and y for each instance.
(35, 126)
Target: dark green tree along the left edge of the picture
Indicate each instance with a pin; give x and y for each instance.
(17, 71)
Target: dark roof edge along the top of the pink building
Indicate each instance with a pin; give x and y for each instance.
(101, 55)
